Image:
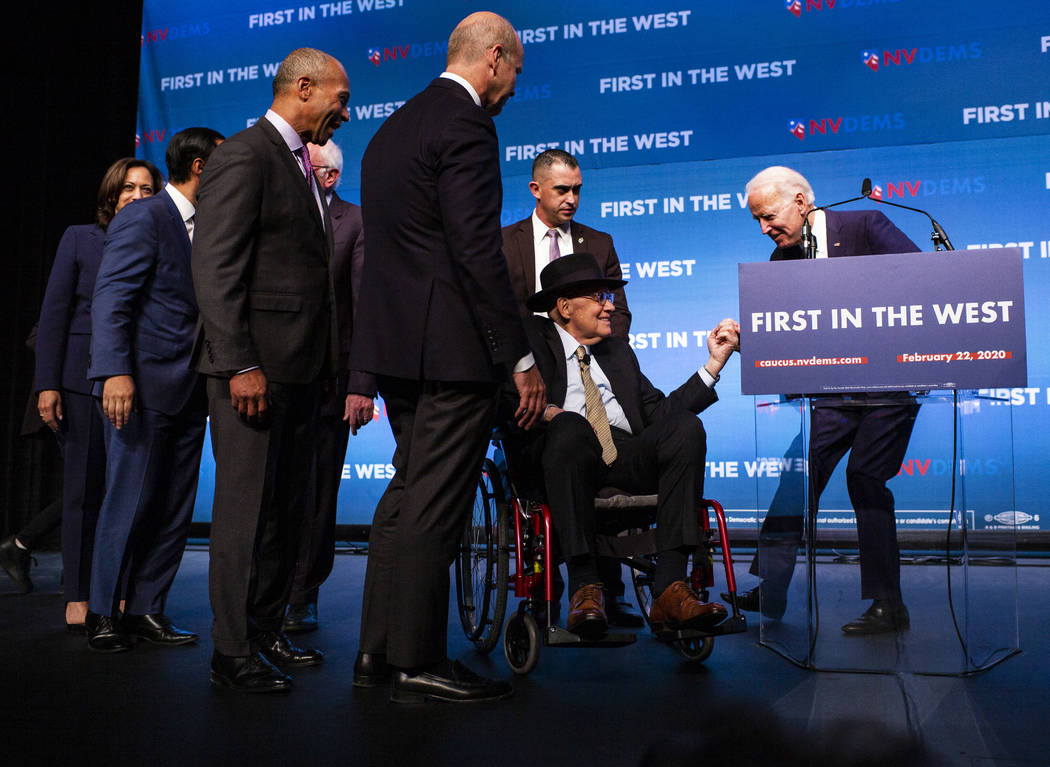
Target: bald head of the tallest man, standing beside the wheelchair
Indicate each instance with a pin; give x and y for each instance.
(486, 51)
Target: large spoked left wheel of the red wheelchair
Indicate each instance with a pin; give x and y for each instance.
(482, 567)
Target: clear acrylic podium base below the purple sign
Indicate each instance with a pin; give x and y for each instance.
(927, 482)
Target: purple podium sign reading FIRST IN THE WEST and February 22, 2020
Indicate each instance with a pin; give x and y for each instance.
(884, 323)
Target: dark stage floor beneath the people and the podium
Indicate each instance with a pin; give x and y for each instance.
(65, 706)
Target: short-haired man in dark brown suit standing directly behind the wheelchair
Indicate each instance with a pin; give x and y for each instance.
(551, 233)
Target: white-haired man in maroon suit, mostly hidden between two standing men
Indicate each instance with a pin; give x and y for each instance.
(340, 413)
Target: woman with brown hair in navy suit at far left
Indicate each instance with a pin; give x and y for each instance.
(65, 399)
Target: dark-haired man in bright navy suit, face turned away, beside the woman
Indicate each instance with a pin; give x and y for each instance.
(144, 319)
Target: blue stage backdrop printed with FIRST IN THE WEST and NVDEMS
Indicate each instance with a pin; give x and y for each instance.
(670, 109)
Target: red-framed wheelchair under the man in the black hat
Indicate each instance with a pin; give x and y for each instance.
(506, 526)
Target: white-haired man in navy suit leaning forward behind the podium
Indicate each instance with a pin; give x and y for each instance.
(874, 428)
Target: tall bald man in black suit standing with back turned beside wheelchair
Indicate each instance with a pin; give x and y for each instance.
(439, 326)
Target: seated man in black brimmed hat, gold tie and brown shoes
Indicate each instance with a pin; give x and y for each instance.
(607, 426)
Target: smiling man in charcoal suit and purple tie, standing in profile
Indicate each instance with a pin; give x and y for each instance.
(269, 339)
